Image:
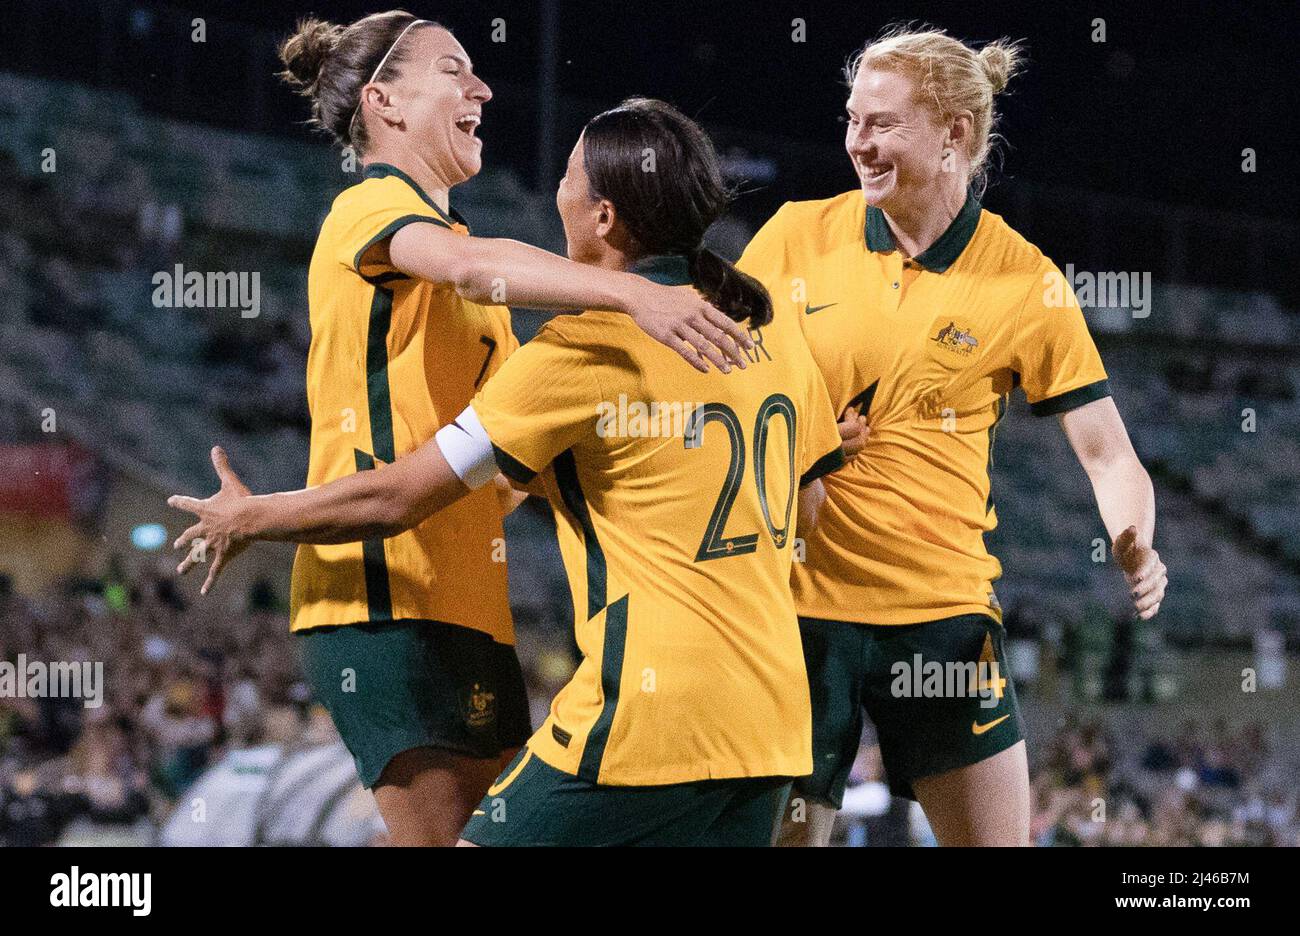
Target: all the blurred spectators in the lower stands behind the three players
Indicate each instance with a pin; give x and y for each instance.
(187, 683)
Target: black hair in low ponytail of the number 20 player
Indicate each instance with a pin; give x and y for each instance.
(669, 206)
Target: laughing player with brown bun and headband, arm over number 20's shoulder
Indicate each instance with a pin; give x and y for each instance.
(409, 639)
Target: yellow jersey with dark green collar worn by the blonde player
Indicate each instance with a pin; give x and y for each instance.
(930, 348)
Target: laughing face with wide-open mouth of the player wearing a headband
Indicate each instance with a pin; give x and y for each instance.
(439, 101)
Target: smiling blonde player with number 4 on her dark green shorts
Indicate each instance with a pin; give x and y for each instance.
(925, 311)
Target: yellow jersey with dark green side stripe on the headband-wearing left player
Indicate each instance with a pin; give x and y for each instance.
(392, 361)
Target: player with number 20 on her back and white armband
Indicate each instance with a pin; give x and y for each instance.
(675, 501)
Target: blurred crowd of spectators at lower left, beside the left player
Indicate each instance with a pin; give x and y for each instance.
(181, 684)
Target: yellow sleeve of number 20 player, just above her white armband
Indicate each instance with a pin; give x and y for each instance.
(541, 404)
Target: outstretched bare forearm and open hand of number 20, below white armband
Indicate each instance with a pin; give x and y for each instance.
(371, 504)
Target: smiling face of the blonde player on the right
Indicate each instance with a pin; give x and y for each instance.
(896, 142)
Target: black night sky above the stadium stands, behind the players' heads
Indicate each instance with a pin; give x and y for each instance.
(1158, 116)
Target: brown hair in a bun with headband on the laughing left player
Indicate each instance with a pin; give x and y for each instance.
(331, 64)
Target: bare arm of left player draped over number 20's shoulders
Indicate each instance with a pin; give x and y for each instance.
(501, 271)
